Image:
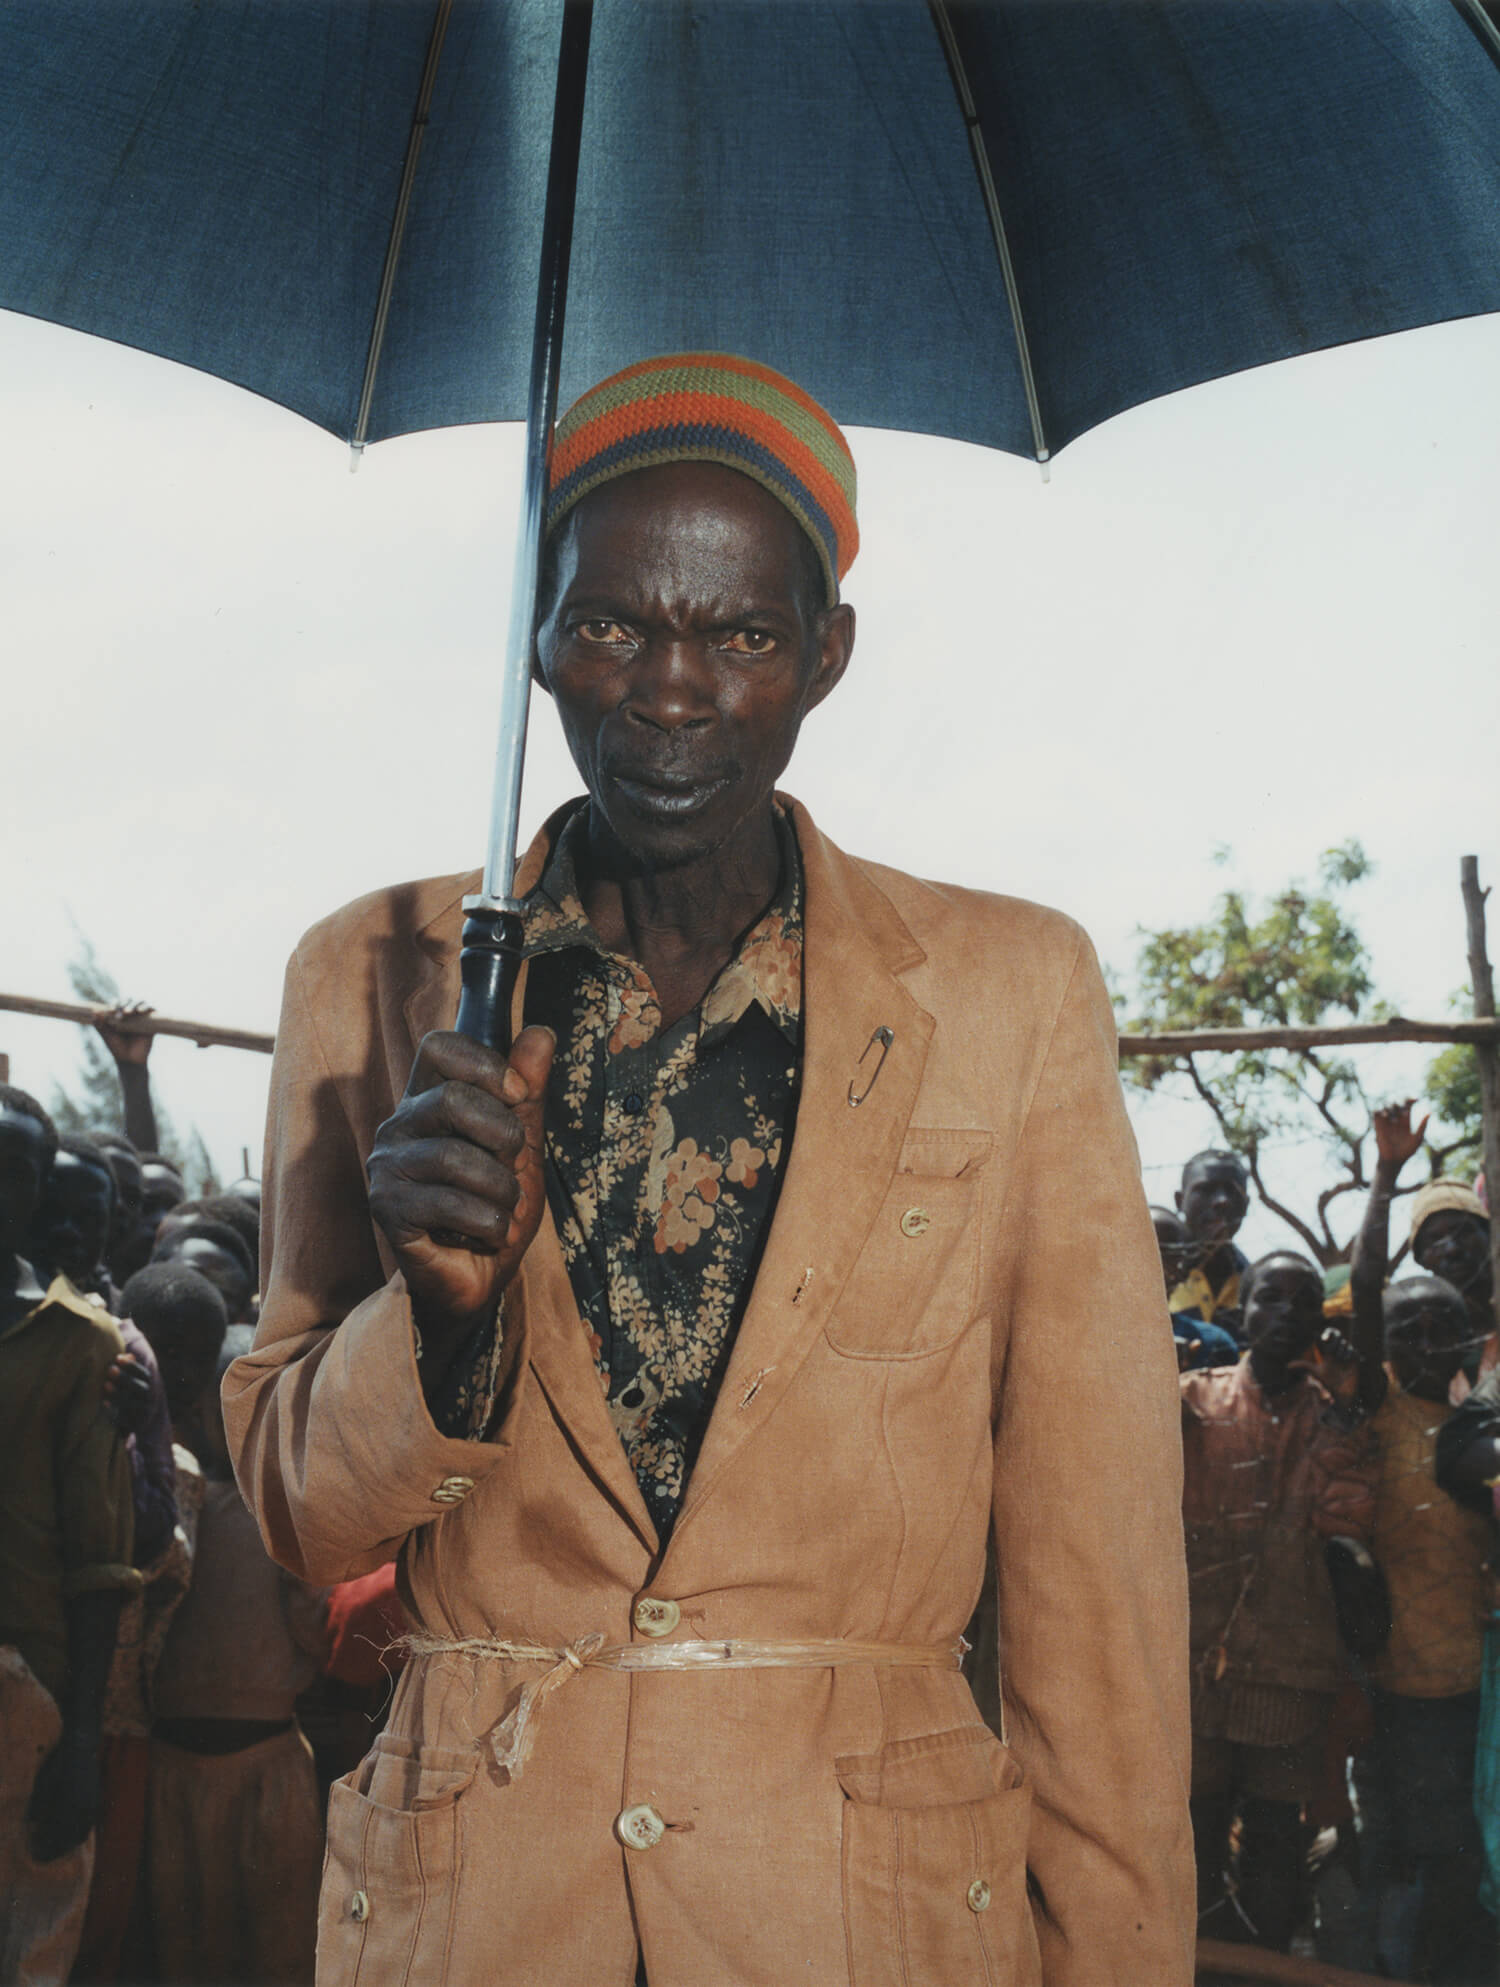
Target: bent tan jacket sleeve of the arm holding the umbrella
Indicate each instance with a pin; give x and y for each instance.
(333, 1444)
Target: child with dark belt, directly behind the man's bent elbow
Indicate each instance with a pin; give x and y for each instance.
(235, 1823)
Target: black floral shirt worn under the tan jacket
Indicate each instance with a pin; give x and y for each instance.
(665, 1155)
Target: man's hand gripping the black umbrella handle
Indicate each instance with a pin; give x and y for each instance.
(456, 1175)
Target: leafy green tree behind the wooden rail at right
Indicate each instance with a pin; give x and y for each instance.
(1294, 961)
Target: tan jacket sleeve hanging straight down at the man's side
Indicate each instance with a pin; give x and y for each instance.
(1092, 1577)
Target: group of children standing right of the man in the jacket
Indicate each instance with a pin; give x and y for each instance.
(1340, 1527)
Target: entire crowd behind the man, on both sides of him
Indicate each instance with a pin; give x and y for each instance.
(174, 1706)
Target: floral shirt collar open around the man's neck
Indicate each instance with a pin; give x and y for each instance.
(766, 971)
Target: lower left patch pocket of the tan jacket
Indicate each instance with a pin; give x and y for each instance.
(386, 1907)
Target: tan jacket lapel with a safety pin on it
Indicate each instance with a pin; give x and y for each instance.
(843, 1155)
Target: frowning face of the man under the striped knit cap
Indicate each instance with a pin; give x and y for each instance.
(682, 651)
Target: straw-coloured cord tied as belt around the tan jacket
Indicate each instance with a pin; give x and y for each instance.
(514, 1738)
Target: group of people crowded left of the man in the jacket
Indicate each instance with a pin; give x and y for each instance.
(162, 1809)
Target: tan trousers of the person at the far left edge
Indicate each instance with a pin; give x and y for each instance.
(41, 1905)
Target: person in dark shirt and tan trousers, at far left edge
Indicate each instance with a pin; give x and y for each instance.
(65, 1571)
